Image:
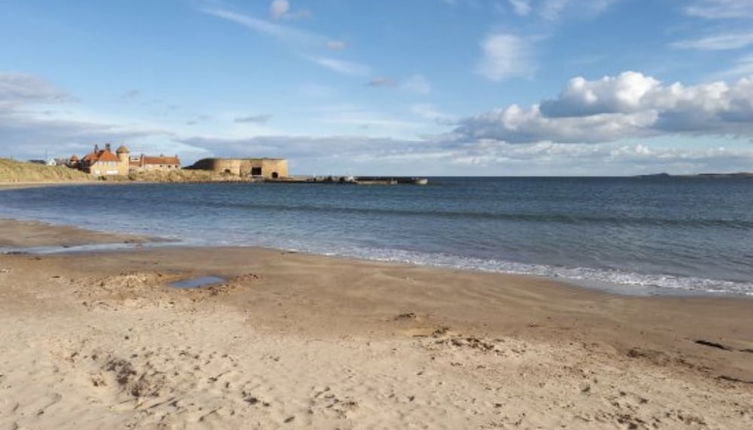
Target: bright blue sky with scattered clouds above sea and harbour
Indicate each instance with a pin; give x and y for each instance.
(400, 87)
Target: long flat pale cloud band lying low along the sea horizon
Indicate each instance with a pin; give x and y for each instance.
(384, 156)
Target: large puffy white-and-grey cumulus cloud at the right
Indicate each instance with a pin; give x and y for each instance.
(626, 106)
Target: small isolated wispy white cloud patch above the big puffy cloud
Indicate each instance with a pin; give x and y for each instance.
(505, 56)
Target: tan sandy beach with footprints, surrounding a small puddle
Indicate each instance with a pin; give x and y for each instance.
(292, 340)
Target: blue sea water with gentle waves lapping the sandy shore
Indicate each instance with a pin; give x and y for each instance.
(636, 235)
